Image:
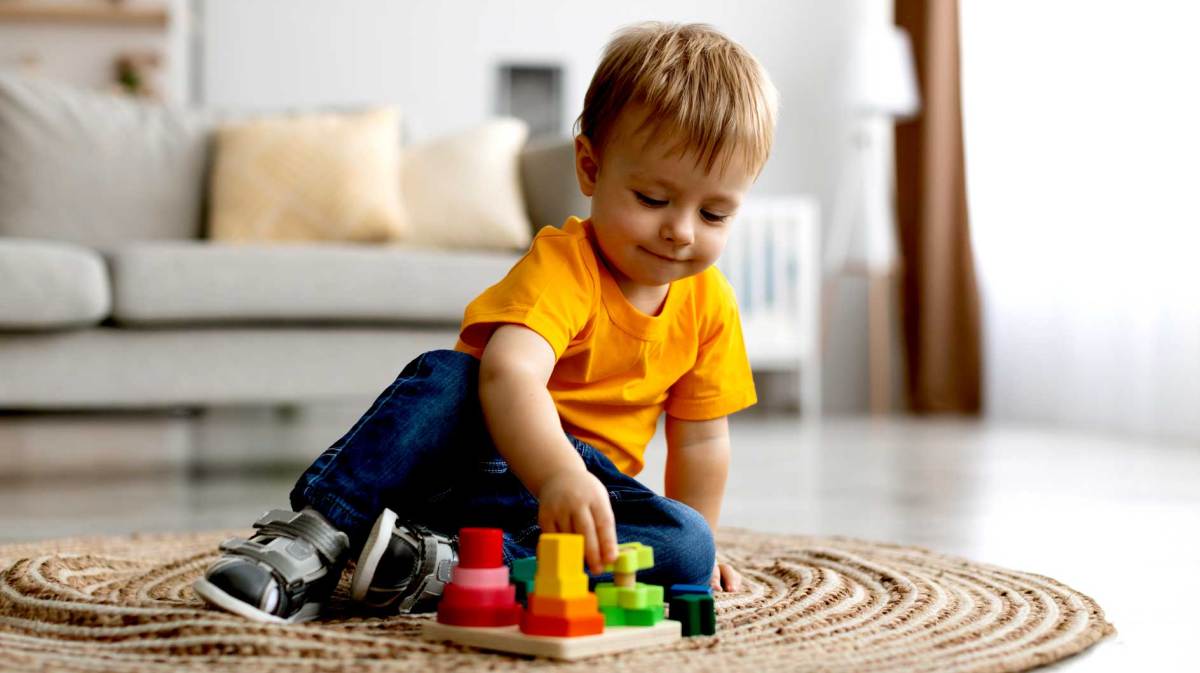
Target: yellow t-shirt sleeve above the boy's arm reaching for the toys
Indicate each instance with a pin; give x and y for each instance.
(551, 291)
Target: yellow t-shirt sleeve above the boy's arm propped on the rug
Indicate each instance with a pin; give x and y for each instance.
(721, 382)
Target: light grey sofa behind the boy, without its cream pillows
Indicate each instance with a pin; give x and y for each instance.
(111, 298)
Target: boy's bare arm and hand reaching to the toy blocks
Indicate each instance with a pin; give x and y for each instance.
(524, 422)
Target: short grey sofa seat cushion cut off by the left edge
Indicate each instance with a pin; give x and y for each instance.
(46, 285)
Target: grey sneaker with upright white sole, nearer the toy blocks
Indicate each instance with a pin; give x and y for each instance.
(403, 568)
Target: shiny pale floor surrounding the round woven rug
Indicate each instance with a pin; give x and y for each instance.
(1114, 518)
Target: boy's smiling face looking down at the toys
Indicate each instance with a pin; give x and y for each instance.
(657, 218)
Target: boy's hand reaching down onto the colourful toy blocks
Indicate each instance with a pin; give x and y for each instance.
(577, 502)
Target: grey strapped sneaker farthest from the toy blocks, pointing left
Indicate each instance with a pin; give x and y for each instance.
(283, 574)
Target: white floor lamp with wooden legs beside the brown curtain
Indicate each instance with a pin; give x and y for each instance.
(883, 89)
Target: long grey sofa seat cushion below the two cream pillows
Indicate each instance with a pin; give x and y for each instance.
(193, 283)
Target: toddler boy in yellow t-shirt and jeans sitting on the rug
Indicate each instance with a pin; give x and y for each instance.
(539, 418)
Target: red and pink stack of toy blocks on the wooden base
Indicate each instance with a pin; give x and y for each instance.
(479, 594)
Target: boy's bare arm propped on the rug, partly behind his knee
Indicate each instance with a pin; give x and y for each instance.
(698, 466)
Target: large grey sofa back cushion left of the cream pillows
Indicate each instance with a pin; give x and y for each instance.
(98, 169)
